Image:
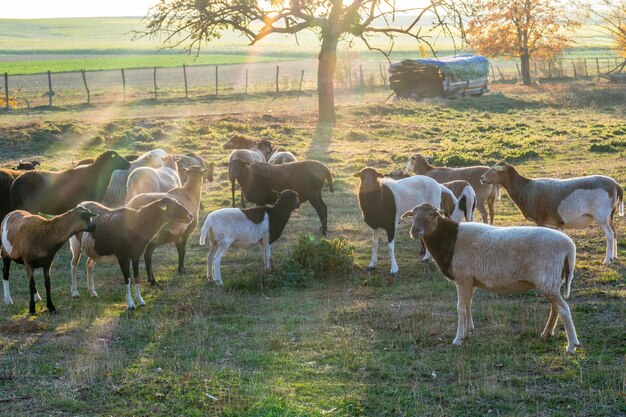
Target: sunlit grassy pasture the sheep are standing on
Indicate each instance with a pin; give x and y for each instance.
(333, 344)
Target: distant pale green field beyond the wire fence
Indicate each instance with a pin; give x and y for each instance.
(25, 43)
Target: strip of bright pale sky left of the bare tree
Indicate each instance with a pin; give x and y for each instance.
(35, 9)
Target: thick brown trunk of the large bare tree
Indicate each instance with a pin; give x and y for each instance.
(325, 80)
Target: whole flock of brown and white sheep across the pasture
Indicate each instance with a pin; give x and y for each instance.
(116, 209)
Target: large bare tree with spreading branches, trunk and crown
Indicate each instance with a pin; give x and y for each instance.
(192, 23)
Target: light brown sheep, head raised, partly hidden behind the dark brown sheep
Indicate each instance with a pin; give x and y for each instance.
(189, 197)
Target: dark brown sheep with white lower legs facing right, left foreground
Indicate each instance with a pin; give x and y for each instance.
(121, 235)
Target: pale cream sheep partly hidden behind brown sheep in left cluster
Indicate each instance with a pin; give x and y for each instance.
(151, 180)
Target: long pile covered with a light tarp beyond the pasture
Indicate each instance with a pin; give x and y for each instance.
(452, 76)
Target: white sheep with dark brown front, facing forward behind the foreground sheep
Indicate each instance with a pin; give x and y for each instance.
(383, 200)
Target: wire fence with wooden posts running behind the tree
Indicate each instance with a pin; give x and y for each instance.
(203, 81)
